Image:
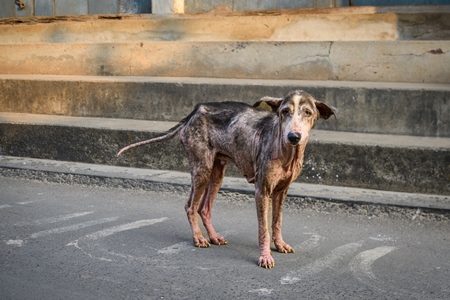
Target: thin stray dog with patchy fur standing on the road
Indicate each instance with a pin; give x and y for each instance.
(267, 146)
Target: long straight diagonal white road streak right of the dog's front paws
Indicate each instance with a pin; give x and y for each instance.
(327, 262)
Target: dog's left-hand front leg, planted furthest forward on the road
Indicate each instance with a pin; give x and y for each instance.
(262, 208)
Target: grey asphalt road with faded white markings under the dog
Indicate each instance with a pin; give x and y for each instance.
(60, 241)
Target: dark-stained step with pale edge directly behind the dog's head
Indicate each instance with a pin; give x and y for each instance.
(365, 107)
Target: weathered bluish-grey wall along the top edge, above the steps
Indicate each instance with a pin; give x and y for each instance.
(8, 8)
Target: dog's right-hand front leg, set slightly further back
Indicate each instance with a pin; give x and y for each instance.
(277, 208)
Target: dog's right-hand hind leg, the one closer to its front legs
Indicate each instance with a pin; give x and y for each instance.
(205, 208)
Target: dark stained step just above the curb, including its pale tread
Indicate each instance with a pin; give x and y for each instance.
(393, 163)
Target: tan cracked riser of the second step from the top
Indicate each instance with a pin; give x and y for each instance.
(407, 61)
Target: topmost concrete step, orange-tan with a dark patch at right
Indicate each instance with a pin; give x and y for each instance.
(343, 24)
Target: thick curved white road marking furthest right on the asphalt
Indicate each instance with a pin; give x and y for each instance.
(361, 264)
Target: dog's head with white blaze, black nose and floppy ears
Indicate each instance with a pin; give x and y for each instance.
(297, 112)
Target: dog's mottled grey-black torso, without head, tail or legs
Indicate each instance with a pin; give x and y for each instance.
(230, 131)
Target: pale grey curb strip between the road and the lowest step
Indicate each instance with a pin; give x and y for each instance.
(331, 193)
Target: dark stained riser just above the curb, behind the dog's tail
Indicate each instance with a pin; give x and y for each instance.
(409, 170)
